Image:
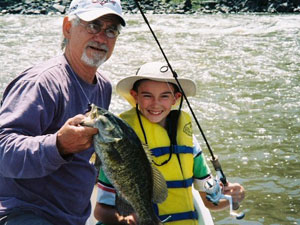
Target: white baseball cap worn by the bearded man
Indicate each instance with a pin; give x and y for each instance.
(89, 10)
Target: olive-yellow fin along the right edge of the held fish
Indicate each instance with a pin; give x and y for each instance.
(160, 190)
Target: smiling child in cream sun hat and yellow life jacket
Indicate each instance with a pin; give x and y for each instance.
(153, 93)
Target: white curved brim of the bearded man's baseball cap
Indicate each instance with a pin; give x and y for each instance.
(96, 13)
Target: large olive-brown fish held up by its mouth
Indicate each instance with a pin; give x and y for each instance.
(128, 166)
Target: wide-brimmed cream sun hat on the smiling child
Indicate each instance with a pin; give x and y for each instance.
(156, 71)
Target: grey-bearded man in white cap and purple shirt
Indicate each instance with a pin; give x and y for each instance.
(45, 174)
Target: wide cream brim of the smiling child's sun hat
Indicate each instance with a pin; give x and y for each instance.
(124, 86)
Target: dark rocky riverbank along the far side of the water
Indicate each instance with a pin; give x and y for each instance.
(51, 7)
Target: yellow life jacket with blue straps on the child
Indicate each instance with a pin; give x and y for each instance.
(178, 171)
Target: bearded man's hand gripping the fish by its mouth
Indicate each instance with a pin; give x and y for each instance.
(73, 138)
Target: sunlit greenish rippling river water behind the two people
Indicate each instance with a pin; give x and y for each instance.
(247, 70)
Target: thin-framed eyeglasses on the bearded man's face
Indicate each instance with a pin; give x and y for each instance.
(96, 27)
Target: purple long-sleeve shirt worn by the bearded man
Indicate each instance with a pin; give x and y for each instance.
(33, 175)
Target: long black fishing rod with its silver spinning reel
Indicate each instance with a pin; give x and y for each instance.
(210, 187)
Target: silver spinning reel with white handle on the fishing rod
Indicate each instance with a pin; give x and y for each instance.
(214, 194)
